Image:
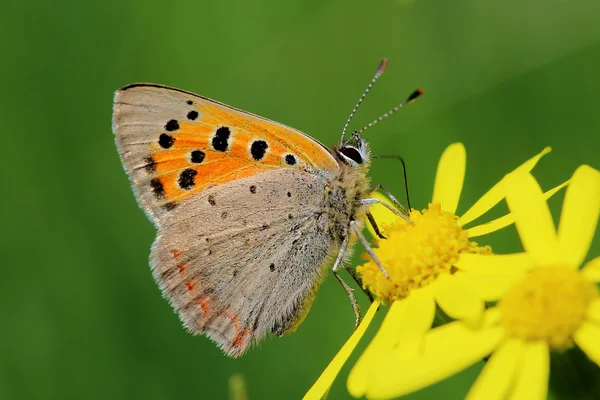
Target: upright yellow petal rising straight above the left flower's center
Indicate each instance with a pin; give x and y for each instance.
(450, 177)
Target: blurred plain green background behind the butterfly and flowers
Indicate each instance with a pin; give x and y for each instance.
(80, 316)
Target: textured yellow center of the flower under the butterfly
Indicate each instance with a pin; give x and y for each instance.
(415, 255)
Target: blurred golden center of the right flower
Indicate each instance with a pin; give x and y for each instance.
(548, 304)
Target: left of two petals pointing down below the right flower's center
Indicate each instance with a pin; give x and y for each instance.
(498, 374)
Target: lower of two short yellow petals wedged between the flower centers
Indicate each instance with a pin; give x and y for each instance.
(486, 287)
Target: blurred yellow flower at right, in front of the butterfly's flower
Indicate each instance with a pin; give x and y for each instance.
(552, 306)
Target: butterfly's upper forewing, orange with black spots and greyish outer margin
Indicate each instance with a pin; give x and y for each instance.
(174, 144)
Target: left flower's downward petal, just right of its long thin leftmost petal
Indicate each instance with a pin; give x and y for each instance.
(385, 340)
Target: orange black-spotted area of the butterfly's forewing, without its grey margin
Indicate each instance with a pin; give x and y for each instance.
(214, 144)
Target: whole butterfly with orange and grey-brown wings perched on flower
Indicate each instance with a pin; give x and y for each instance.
(250, 213)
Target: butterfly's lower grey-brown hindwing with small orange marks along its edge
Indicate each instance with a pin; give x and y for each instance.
(244, 258)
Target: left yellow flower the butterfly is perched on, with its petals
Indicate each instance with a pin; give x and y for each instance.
(421, 261)
